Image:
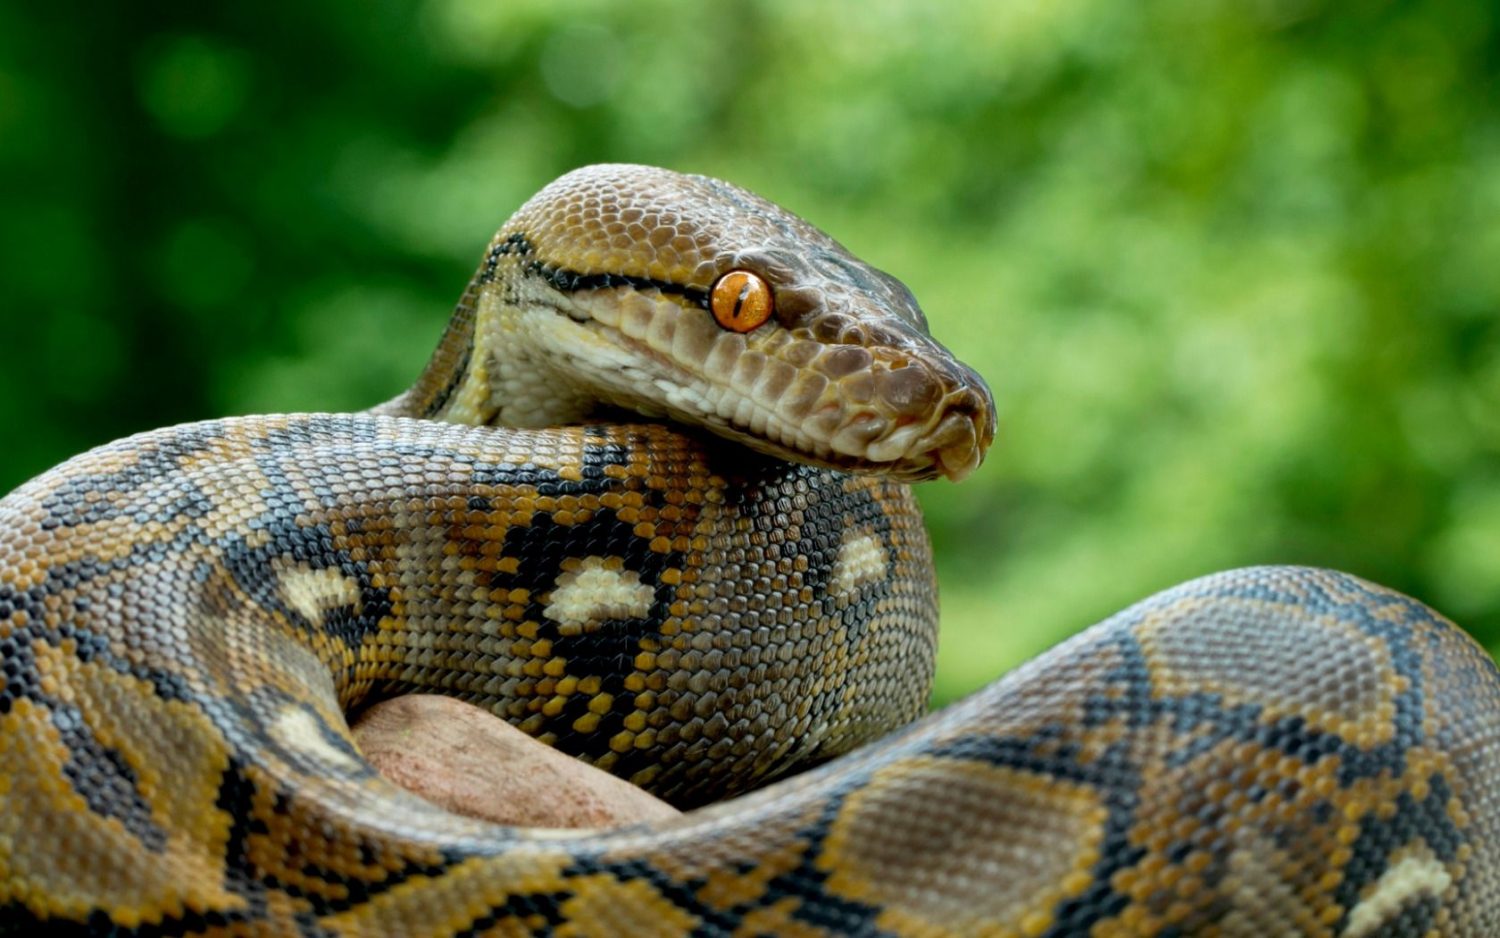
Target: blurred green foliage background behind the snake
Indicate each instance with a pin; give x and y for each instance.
(1231, 266)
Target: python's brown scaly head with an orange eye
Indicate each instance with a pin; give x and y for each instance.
(625, 286)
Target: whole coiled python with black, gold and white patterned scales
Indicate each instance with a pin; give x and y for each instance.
(650, 501)
